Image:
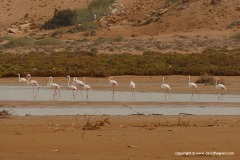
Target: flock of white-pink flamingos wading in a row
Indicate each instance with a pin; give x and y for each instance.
(80, 85)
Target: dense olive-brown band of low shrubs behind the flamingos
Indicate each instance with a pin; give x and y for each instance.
(86, 63)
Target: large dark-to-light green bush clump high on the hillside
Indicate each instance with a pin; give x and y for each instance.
(79, 16)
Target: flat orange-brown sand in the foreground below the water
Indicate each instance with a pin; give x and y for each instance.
(121, 137)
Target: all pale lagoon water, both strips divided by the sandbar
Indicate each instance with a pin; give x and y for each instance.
(15, 93)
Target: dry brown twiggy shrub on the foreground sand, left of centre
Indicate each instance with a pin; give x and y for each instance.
(95, 125)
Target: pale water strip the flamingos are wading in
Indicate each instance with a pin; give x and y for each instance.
(45, 94)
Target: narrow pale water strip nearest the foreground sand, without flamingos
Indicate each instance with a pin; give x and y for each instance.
(147, 110)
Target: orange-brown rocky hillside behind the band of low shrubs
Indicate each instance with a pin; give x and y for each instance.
(183, 26)
